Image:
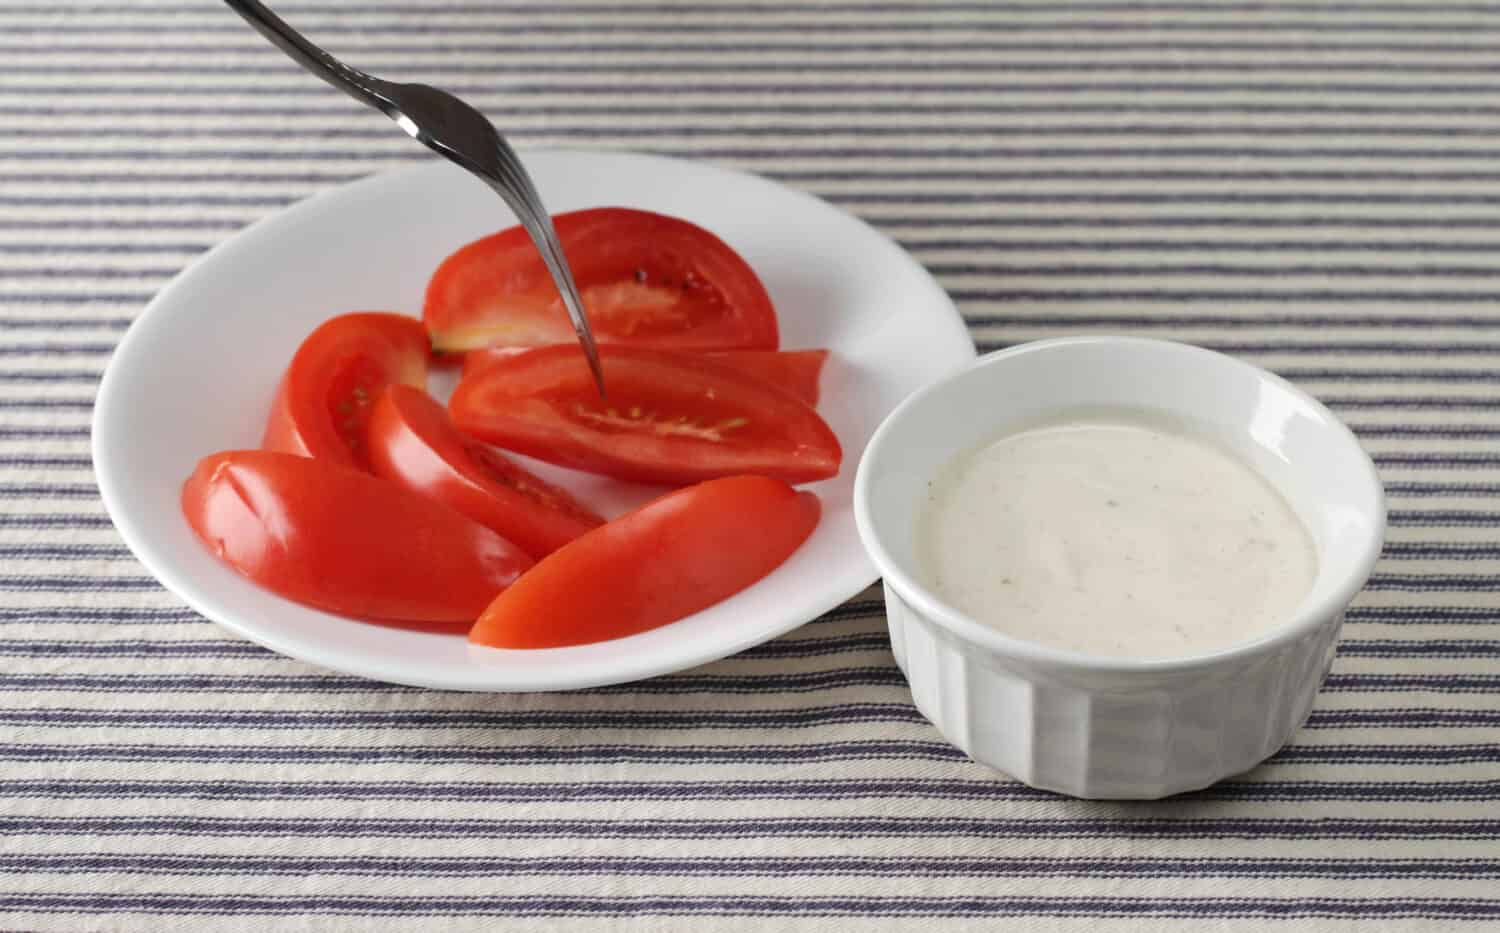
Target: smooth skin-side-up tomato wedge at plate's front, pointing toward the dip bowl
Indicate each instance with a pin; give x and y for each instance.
(658, 565)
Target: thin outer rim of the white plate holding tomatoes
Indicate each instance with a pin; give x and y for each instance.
(544, 679)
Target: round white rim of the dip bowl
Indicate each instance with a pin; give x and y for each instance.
(1309, 619)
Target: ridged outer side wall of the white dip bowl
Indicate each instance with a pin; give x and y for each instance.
(1159, 736)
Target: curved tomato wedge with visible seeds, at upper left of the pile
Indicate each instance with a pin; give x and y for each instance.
(325, 400)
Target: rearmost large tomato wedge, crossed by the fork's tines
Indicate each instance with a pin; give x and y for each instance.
(646, 280)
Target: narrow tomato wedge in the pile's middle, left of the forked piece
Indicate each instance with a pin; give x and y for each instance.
(415, 445)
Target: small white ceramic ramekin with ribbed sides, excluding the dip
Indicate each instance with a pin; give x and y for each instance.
(1114, 728)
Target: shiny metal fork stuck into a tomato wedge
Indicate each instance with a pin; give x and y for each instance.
(455, 131)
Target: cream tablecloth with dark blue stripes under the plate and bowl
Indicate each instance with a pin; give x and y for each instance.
(1313, 187)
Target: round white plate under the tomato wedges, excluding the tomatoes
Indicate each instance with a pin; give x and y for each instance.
(197, 371)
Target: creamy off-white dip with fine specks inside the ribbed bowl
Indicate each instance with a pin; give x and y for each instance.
(1114, 535)
